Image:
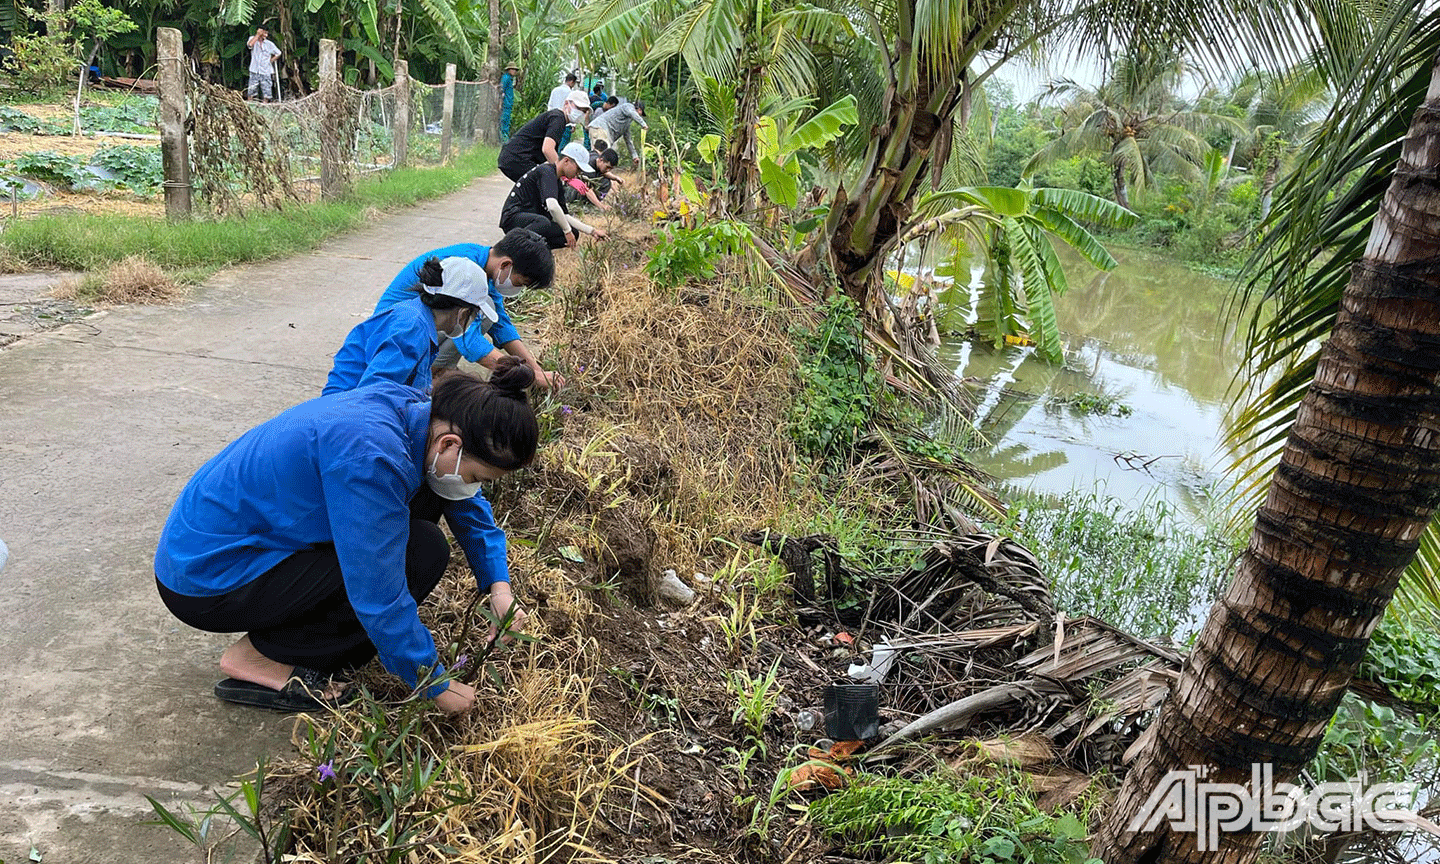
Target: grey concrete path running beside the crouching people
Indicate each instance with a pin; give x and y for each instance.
(103, 696)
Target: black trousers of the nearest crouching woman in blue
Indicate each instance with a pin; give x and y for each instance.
(297, 613)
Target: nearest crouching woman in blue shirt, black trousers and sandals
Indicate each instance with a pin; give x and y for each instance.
(302, 534)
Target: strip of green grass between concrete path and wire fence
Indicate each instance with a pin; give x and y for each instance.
(192, 250)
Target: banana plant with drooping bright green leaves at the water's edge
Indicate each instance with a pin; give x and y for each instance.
(1016, 230)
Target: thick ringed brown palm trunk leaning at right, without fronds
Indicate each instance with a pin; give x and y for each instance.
(1357, 485)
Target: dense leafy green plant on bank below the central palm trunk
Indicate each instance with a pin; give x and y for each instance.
(840, 387)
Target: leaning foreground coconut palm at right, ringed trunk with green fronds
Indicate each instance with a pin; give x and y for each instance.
(1359, 473)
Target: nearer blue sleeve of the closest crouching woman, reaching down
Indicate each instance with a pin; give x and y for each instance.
(371, 526)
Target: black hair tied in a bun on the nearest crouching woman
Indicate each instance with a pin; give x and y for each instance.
(495, 418)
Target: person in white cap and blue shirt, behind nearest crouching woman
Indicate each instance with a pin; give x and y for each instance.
(400, 345)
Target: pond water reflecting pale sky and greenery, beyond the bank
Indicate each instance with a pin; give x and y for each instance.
(1153, 335)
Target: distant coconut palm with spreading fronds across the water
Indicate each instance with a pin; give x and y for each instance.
(1134, 123)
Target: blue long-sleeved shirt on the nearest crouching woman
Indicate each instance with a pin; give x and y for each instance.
(335, 470)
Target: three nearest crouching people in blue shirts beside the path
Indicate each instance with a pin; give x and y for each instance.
(316, 534)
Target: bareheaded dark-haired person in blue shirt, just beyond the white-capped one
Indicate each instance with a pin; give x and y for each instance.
(521, 260)
